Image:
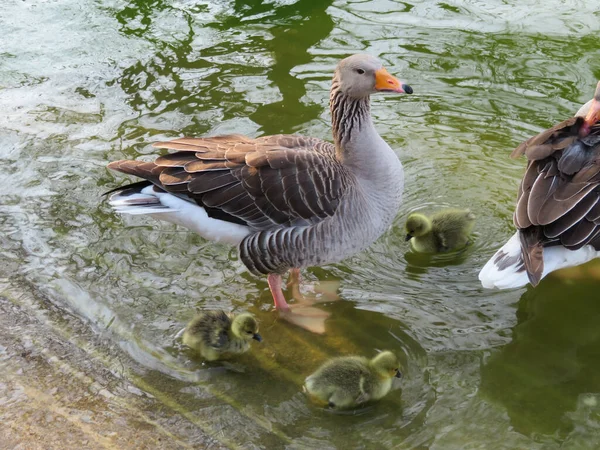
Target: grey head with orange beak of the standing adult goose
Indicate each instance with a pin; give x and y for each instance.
(361, 75)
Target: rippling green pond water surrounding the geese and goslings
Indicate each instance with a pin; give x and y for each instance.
(83, 83)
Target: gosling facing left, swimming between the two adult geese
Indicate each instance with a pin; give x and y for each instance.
(446, 230)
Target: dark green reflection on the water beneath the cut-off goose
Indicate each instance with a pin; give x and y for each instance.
(550, 368)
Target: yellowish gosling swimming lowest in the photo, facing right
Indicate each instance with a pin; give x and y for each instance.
(348, 381)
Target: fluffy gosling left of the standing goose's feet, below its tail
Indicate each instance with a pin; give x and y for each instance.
(215, 334)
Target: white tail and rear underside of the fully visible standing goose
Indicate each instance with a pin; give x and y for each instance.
(168, 207)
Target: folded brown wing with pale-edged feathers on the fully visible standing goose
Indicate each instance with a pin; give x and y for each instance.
(264, 183)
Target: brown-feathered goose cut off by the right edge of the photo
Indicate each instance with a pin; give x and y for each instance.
(558, 207)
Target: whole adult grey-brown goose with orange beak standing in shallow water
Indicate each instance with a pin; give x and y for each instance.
(288, 201)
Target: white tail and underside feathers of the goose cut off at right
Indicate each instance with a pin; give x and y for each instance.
(505, 269)
